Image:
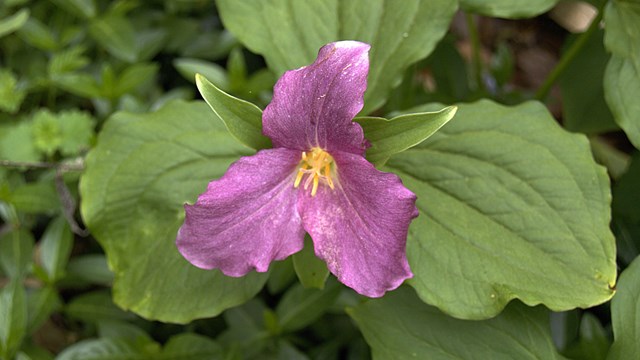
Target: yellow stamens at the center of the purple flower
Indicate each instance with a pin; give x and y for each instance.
(316, 164)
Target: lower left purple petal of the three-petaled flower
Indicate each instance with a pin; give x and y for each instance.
(247, 218)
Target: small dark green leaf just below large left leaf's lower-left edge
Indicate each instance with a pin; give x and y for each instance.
(96, 306)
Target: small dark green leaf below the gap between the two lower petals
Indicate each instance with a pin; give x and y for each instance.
(300, 307)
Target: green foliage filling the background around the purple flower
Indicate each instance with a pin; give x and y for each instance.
(527, 189)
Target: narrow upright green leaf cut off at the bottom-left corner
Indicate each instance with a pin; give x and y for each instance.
(13, 318)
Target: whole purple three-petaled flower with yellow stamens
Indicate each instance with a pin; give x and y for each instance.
(315, 179)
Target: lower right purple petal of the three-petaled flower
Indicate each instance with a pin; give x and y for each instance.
(360, 227)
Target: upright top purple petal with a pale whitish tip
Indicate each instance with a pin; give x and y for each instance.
(314, 106)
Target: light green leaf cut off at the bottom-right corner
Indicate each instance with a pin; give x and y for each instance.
(625, 314)
